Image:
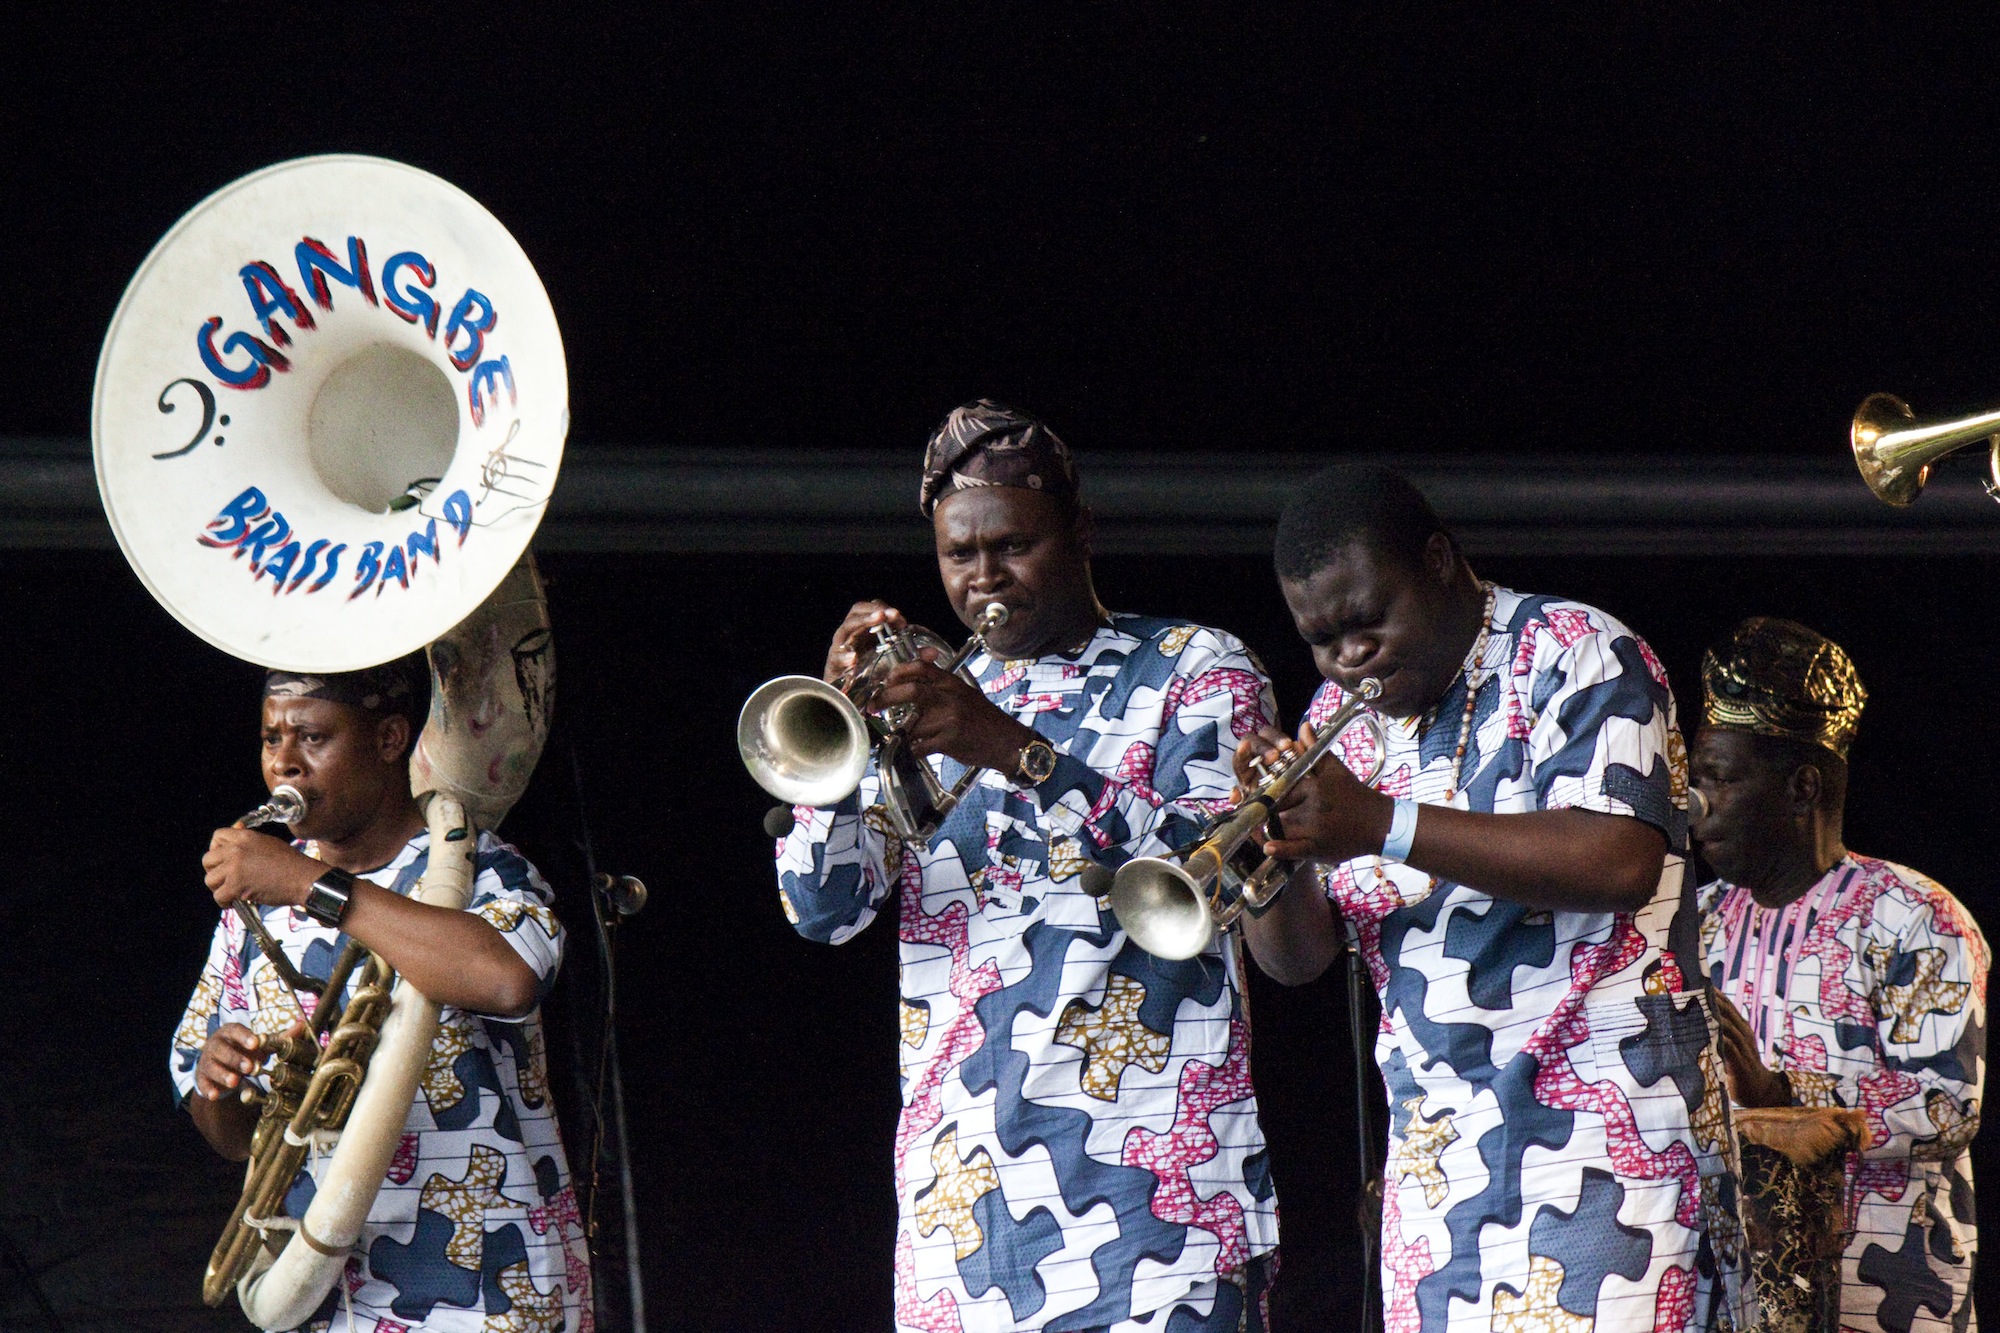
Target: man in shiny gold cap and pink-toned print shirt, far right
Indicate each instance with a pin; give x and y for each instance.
(1853, 982)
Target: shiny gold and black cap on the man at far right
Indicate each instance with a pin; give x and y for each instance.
(1781, 680)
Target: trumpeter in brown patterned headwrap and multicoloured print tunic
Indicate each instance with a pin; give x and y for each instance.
(1079, 1142)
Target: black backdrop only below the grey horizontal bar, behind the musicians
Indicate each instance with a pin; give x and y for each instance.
(761, 1070)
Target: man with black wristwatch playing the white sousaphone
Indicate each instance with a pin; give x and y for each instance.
(477, 1214)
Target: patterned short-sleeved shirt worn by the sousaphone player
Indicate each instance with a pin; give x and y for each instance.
(477, 1226)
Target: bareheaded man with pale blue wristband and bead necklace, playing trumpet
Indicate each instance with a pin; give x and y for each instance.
(1511, 884)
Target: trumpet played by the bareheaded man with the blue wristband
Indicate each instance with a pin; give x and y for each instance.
(1175, 908)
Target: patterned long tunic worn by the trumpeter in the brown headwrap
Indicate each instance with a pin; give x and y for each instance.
(1079, 1142)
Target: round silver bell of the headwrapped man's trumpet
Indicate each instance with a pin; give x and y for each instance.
(803, 742)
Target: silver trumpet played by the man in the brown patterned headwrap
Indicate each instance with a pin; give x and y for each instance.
(807, 742)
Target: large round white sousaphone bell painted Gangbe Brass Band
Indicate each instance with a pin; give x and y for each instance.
(329, 413)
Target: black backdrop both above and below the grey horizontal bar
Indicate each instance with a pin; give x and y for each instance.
(1663, 231)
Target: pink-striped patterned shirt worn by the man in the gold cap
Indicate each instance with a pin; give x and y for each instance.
(1871, 992)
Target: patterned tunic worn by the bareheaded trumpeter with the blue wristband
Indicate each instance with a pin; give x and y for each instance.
(1543, 1074)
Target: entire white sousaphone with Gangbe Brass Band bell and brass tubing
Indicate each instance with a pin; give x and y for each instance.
(329, 417)
